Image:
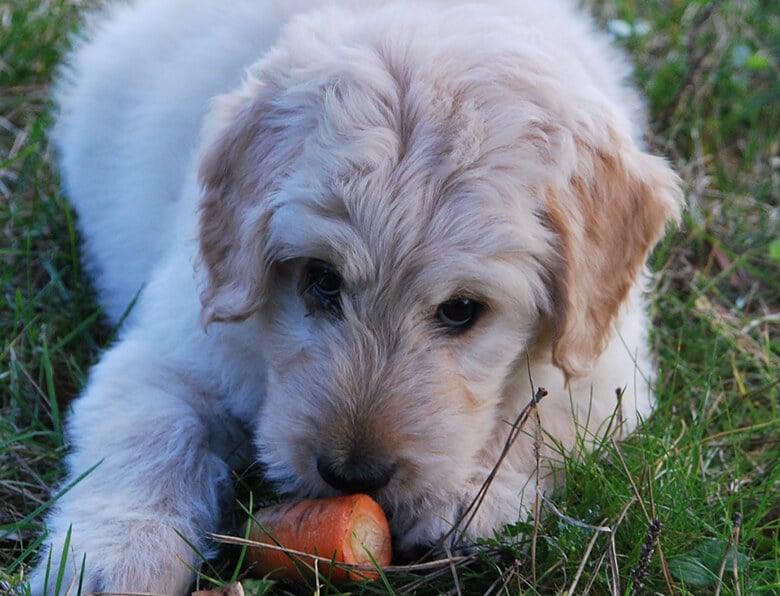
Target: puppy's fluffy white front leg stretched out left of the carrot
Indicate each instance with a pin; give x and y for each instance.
(143, 481)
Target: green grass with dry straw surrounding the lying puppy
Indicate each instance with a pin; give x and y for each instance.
(690, 505)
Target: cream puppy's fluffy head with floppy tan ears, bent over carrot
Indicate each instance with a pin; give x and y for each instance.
(406, 214)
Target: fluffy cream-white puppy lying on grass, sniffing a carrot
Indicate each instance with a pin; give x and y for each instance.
(359, 235)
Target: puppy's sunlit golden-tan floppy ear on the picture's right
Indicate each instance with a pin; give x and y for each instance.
(608, 218)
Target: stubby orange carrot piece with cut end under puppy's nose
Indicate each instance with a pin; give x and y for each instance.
(351, 529)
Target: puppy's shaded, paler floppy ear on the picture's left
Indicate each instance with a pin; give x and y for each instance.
(245, 150)
